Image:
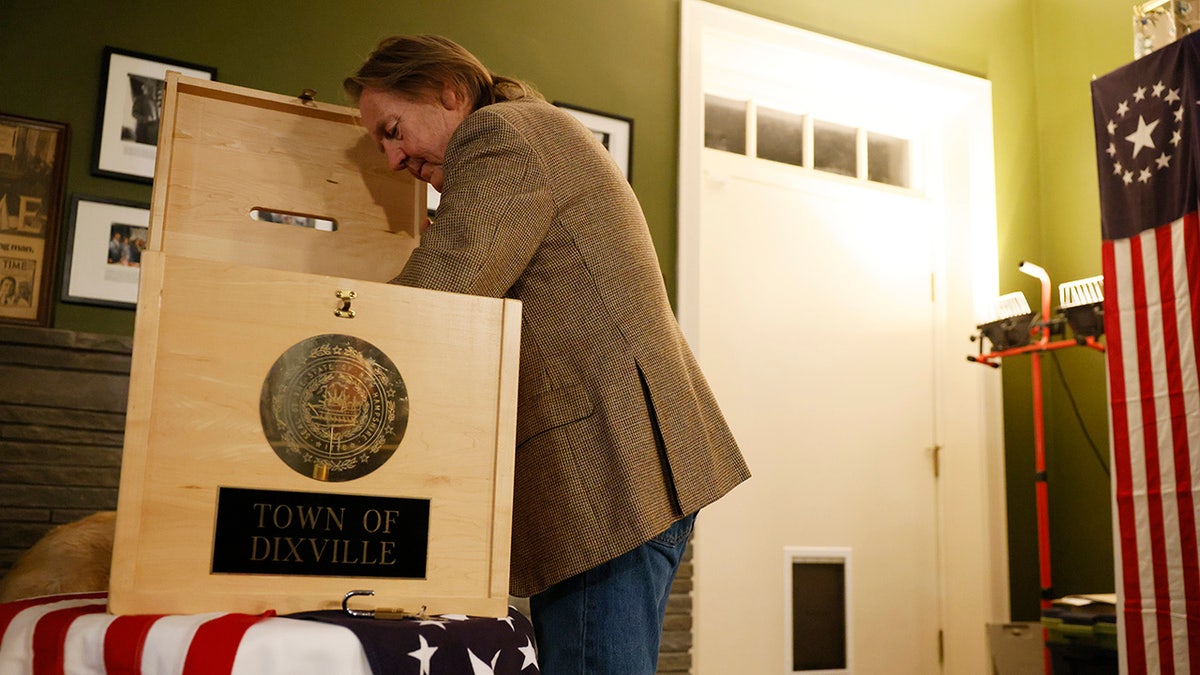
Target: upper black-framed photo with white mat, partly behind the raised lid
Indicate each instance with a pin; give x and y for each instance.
(131, 88)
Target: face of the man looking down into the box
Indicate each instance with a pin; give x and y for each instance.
(413, 135)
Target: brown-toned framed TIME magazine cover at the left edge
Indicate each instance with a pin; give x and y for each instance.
(33, 170)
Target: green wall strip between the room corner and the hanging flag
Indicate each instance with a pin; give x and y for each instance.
(1075, 41)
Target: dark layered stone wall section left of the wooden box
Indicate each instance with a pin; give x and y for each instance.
(62, 427)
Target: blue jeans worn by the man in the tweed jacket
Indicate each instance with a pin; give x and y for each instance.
(609, 620)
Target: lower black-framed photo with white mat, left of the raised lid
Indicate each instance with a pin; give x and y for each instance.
(101, 265)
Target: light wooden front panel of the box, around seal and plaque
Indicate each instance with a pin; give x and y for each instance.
(201, 431)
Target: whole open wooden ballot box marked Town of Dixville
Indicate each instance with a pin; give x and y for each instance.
(297, 428)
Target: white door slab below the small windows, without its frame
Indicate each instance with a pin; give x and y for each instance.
(819, 319)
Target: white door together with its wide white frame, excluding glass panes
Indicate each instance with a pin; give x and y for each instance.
(832, 318)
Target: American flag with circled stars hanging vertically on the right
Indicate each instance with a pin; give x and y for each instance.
(1147, 134)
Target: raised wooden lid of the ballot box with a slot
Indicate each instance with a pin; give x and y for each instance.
(230, 152)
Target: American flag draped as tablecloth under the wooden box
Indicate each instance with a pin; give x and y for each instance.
(74, 635)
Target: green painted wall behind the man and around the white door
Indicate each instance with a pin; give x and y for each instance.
(622, 56)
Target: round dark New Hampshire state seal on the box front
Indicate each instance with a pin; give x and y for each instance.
(334, 408)
